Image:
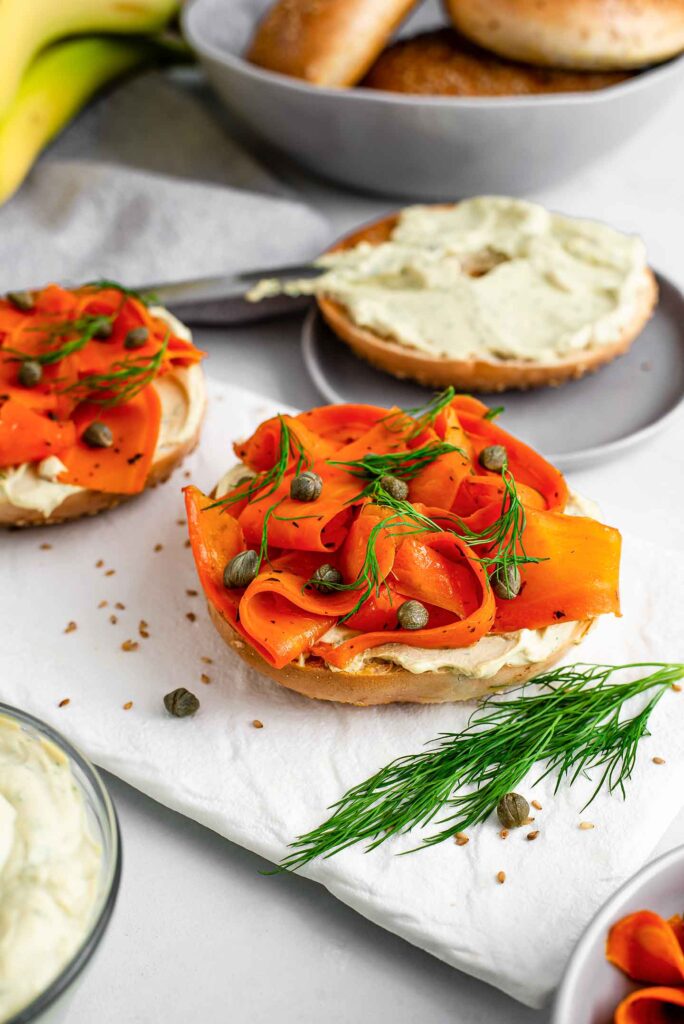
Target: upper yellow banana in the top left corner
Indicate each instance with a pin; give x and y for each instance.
(28, 26)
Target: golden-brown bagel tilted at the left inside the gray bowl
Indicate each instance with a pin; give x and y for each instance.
(326, 42)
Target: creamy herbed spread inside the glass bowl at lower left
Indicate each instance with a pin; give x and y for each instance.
(50, 867)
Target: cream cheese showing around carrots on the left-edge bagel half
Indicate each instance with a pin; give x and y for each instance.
(182, 393)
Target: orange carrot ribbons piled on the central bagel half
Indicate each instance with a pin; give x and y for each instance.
(443, 544)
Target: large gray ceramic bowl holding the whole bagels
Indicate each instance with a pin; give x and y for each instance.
(419, 147)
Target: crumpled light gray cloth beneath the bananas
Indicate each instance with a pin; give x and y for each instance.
(168, 196)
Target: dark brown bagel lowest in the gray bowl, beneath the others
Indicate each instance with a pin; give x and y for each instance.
(445, 64)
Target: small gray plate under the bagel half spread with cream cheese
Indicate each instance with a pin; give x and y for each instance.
(578, 424)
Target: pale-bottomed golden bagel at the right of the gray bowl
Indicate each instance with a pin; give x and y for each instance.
(587, 35)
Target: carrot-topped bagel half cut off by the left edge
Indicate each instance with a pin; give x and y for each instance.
(101, 397)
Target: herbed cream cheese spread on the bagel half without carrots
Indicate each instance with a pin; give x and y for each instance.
(492, 278)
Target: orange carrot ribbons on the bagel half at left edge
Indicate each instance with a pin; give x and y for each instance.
(77, 346)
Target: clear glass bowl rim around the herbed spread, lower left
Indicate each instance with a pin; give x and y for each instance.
(52, 1006)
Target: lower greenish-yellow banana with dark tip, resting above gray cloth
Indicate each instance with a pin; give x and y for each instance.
(57, 86)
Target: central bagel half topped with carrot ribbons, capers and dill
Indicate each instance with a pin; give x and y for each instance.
(368, 556)
